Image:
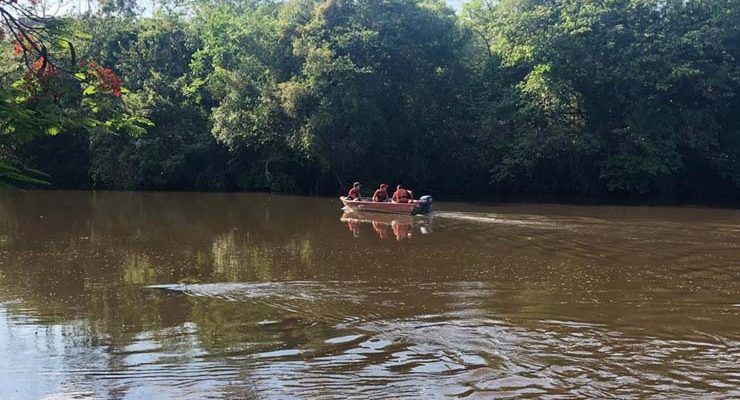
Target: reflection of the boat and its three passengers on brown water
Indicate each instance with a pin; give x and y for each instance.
(387, 225)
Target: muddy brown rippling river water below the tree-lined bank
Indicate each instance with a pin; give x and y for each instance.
(115, 295)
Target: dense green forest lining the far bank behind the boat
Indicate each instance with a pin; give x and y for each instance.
(610, 99)
